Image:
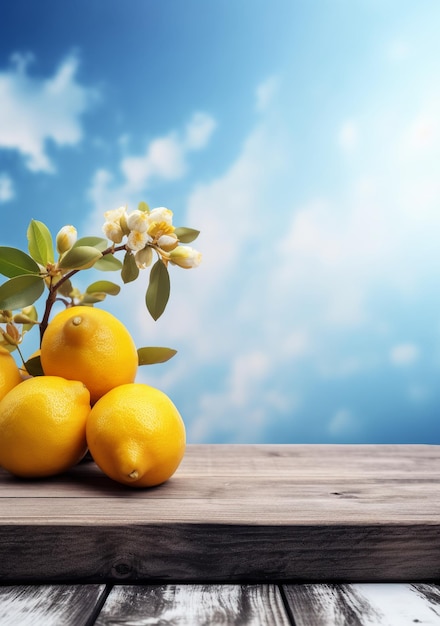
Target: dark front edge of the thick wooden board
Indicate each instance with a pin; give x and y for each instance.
(252, 553)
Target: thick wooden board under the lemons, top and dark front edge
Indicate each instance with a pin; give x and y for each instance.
(233, 513)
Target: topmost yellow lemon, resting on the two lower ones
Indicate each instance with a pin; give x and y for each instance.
(91, 345)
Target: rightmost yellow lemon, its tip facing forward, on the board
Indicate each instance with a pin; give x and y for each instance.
(136, 435)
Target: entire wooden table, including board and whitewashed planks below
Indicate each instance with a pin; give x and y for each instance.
(270, 534)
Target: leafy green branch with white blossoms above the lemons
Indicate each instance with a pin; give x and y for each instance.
(137, 235)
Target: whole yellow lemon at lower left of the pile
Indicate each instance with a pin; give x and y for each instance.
(43, 426)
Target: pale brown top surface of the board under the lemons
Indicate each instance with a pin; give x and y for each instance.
(266, 485)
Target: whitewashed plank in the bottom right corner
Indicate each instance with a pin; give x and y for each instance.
(364, 604)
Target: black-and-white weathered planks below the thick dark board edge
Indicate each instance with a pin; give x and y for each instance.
(358, 604)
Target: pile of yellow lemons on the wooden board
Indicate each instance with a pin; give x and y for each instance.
(87, 400)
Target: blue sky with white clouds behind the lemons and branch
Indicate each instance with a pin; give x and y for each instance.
(303, 140)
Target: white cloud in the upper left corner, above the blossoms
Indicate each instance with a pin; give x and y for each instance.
(37, 110)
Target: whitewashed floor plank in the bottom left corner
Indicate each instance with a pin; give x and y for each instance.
(49, 605)
